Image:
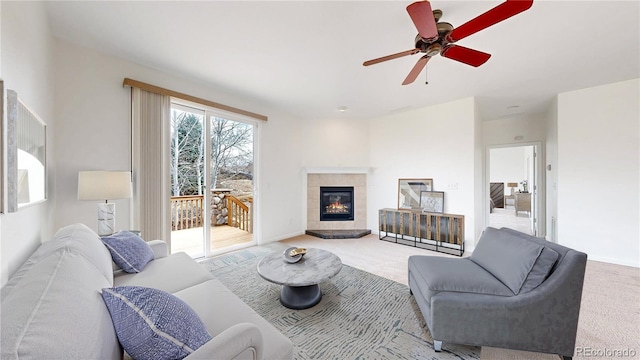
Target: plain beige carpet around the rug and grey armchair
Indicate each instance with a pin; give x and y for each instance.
(609, 314)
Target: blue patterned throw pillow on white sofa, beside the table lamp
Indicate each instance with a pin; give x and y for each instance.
(128, 251)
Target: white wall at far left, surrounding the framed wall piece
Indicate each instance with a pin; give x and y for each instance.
(27, 54)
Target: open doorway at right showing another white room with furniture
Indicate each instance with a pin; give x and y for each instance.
(513, 188)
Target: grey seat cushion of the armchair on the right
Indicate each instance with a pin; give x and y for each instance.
(433, 274)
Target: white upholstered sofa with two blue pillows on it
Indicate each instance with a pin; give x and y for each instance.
(52, 306)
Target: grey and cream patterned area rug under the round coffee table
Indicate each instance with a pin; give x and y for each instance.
(360, 316)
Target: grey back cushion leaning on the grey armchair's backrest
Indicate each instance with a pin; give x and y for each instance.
(509, 258)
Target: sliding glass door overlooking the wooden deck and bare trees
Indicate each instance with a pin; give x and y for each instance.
(212, 180)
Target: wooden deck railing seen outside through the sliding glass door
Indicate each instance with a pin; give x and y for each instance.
(188, 212)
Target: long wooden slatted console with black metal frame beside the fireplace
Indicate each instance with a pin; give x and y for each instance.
(431, 231)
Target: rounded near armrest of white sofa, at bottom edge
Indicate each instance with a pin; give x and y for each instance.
(229, 344)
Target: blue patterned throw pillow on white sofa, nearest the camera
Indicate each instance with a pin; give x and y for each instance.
(153, 324)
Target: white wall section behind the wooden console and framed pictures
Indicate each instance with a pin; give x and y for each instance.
(420, 144)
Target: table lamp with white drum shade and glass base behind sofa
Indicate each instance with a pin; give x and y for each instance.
(104, 185)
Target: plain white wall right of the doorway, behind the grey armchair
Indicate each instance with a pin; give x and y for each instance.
(599, 173)
